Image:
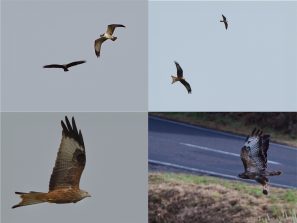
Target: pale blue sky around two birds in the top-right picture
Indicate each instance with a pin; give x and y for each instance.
(250, 67)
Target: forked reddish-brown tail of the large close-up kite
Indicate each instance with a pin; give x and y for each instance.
(30, 198)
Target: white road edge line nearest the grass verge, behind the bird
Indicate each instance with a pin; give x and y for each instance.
(210, 172)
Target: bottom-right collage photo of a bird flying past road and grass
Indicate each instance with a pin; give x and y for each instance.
(222, 167)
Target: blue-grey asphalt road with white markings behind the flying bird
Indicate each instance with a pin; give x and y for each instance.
(190, 148)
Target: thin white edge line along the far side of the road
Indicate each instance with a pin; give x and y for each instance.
(214, 131)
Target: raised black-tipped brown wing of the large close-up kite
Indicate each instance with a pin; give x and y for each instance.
(71, 158)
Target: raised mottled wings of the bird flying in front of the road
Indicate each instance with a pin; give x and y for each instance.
(254, 152)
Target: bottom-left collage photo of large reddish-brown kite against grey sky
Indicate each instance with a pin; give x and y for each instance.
(115, 173)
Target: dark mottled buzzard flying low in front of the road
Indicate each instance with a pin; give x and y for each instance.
(254, 159)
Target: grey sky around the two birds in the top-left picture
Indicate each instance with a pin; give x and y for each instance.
(38, 33)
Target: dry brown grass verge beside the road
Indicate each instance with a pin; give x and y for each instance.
(174, 198)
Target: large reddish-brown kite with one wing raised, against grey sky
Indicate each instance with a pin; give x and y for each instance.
(70, 163)
